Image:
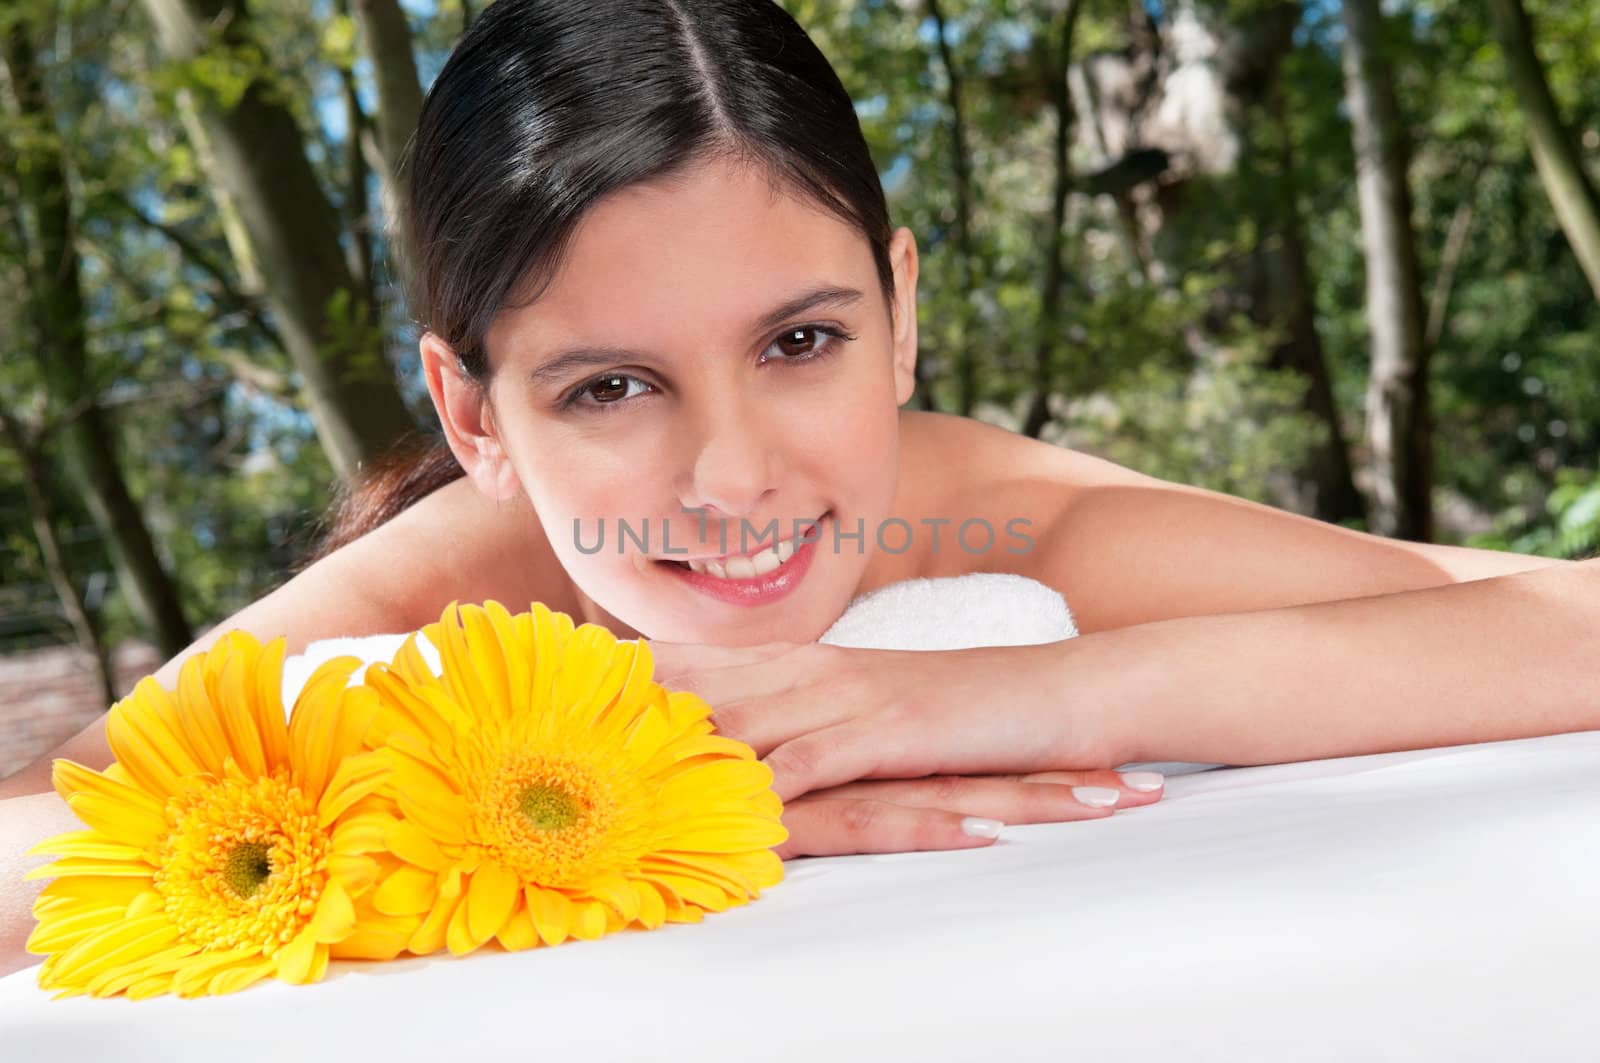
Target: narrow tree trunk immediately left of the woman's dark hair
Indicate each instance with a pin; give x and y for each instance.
(386, 42)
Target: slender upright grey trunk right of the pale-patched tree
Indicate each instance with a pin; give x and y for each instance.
(1398, 403)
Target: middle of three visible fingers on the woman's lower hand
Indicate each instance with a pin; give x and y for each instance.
(985, 796)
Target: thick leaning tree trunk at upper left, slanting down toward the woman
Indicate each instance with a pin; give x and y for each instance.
(258, 156)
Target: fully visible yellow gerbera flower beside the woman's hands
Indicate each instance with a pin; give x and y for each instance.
(550, 788)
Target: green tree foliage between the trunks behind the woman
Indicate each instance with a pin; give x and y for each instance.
(1158, 358)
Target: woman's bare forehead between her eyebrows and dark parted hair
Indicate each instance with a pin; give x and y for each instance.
(706, 251)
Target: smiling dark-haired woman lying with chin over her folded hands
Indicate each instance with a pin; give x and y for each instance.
(658, 286)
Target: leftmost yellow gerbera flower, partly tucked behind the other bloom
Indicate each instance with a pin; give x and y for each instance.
(225, 844)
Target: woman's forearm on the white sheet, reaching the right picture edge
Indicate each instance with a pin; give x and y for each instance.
(1489, 660)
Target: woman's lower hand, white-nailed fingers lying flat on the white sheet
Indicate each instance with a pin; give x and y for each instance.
(940, 812)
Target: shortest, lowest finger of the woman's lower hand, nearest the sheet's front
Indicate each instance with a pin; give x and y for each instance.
(838, 828)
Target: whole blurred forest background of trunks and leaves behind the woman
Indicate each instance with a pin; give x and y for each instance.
(1343, 259)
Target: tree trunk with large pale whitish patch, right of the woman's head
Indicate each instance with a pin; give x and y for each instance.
(1188, 110)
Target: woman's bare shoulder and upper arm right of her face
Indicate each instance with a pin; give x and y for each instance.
(1126, 548)
